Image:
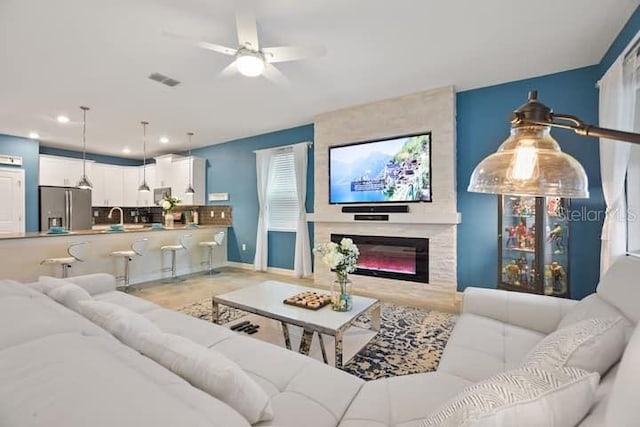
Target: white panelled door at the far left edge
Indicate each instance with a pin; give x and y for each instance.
(12, 210)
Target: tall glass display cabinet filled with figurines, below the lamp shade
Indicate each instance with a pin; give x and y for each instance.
(533, 243)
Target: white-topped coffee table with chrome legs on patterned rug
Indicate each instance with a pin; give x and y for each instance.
(266, 299)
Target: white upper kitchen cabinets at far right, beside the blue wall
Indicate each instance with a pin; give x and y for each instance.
(173, 171)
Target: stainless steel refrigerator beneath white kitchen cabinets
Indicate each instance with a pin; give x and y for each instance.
(65, 207)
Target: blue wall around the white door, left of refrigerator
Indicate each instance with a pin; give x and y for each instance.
(28, 150)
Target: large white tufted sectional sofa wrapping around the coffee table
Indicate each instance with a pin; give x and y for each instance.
(59, 369)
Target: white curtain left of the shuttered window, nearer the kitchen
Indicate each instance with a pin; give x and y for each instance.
(262, 174)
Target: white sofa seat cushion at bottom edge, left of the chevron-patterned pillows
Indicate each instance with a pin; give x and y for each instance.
(401, 401)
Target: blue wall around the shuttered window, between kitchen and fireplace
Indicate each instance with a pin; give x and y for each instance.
(231, 168)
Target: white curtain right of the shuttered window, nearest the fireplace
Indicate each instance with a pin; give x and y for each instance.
(302, 258)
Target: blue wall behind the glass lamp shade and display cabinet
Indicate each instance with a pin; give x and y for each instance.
(481, 126)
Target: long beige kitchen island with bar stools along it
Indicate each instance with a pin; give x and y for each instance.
(21, 253)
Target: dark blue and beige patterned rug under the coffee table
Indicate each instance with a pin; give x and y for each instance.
(410, 340)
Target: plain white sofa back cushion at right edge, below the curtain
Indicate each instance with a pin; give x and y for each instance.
(617, 287)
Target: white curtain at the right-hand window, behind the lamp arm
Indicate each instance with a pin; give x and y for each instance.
(615, 112)
